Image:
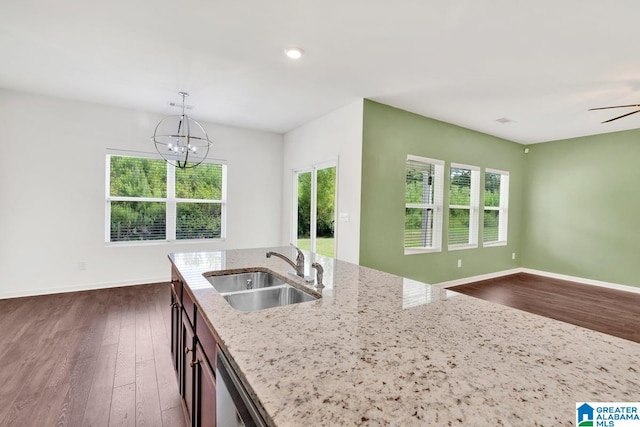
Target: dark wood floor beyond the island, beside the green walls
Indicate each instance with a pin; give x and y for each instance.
(602, 309)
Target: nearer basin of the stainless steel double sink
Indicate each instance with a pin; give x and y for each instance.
(260, 299)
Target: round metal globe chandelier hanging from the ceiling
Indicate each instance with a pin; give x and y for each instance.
(180, 140)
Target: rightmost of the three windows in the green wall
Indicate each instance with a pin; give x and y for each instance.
(496, 204)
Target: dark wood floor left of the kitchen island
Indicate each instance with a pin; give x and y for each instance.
(93, 358)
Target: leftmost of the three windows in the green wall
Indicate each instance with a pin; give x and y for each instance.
(423, 205)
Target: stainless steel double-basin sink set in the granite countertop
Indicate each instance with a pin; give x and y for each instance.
(257, 290)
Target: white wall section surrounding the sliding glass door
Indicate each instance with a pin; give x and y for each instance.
(334, 137)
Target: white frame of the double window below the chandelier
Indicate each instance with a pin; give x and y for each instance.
(171, 202)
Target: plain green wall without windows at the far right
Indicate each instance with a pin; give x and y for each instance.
(582, 207)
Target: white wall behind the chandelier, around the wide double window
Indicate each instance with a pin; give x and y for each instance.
(52, 201)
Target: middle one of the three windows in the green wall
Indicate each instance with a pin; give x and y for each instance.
(464, 189)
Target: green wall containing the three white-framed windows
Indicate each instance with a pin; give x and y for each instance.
(389, 134)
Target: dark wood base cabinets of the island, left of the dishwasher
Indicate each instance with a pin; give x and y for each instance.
(193, 349)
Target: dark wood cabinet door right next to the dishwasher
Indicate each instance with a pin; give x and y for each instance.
(206, 391)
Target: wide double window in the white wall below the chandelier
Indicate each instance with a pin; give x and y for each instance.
(148, 199)
